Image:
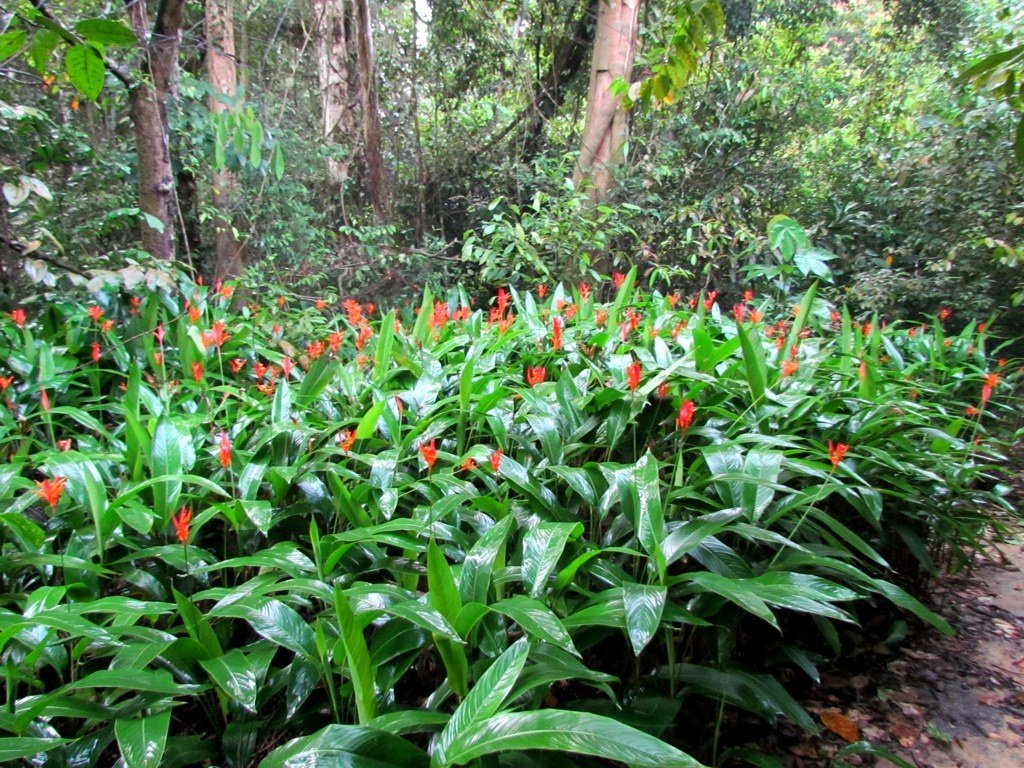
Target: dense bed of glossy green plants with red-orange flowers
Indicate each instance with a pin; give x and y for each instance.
(274, 533)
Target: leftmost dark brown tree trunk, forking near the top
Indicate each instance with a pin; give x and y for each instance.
(148, 106)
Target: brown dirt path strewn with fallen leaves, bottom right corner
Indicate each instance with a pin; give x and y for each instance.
(930, 701)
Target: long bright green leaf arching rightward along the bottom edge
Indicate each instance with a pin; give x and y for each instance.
(579, 733)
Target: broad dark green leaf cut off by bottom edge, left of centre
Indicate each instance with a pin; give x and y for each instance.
(348, 747)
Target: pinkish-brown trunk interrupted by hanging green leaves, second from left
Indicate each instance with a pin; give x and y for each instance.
(223, 72)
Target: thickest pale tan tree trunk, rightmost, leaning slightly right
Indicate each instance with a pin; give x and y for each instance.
(606, 125)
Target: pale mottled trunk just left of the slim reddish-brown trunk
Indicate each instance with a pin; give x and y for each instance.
(332, 69)
